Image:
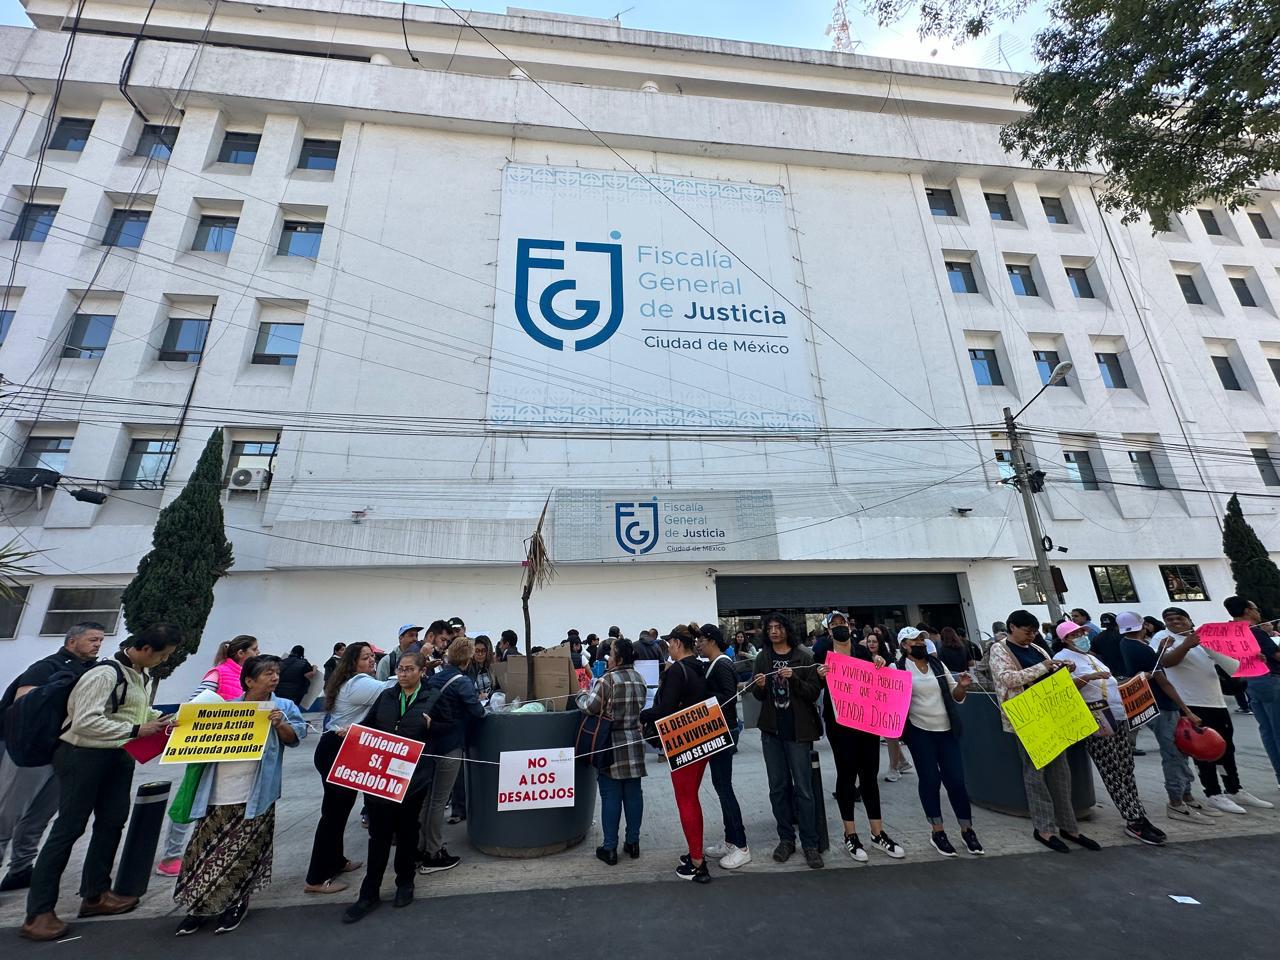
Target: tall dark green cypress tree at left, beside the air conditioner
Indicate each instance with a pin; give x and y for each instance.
(190, 552)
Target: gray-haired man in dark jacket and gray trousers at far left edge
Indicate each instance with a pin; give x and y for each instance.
(29, 796)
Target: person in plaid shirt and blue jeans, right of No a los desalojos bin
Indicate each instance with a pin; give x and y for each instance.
(620, 696)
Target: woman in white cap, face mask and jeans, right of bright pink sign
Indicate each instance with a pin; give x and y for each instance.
(932, 735)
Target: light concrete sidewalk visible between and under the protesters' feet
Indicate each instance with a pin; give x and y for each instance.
(662, 842)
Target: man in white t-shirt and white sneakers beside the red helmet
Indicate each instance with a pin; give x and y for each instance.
(1190, 669)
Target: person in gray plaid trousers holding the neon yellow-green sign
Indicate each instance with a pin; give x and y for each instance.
(1016, 665)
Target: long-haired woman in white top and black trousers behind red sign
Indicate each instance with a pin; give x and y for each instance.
(349, 696)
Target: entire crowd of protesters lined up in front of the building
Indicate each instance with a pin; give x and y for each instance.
(435, 688)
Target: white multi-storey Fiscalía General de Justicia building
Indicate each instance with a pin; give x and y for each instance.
(313, 235)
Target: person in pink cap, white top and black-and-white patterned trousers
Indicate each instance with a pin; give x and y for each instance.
(1110, 748)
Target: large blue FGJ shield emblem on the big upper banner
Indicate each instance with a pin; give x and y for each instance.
(528, 259)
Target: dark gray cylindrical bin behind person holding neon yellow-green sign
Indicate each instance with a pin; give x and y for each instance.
(994, 771)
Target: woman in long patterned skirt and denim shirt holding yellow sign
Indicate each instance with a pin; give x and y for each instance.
(230, 857)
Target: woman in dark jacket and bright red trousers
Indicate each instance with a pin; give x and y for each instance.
(683, 685)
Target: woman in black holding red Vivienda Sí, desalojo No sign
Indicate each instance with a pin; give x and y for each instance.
(403, 711)
